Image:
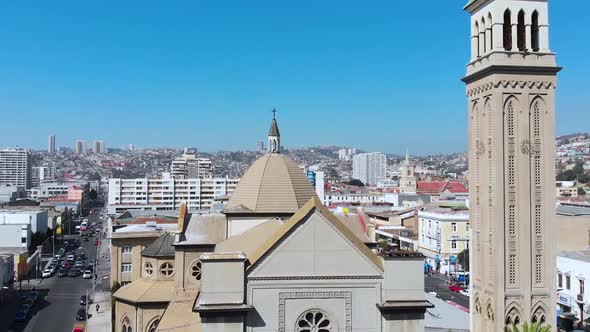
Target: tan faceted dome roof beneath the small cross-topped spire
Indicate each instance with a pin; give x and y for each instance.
(273, 184)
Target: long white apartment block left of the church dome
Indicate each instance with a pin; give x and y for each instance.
(166, 193)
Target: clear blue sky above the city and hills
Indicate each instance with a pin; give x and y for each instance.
(377, 75)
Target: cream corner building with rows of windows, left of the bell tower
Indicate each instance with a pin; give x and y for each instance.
(443, 232)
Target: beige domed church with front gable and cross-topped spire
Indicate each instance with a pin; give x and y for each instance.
(277, 261)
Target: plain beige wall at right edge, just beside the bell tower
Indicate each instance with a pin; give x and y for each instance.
(573, 232)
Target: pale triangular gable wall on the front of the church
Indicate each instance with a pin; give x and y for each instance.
(315, 248)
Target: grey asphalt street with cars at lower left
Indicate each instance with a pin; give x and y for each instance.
(59, 298)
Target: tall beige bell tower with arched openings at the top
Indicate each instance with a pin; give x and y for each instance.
(511, 79)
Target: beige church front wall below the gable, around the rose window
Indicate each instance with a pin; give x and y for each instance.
(297, 296)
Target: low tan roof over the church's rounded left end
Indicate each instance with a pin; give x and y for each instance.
(146, 290)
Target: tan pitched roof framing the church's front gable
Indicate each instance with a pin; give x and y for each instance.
(257, 242)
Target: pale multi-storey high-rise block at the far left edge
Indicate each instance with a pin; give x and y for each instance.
(16, 167)
